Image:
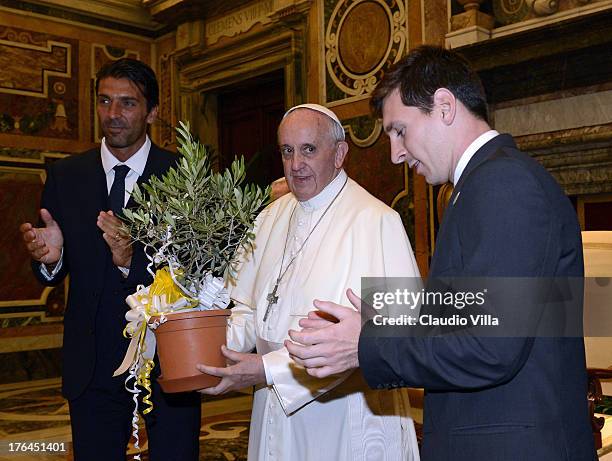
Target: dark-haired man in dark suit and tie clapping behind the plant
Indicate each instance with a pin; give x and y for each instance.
(81, 236)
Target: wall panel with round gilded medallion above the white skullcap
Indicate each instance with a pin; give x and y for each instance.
(362, 39)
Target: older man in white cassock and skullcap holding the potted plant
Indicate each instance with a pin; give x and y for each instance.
(312, 244)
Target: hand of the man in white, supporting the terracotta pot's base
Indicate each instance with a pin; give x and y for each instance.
(245, 370)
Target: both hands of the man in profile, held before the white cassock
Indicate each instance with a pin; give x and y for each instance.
(326, 348)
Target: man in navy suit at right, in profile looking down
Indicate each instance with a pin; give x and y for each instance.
(487, 398)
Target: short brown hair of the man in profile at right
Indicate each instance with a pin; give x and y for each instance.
(423, 71)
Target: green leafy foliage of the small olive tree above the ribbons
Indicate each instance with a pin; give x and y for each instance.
(200, 219)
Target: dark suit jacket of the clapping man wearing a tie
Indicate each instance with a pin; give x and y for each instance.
(75, 192)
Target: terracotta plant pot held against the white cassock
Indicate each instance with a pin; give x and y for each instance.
(186, 339)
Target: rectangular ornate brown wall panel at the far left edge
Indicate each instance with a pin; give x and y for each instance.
(38, 84)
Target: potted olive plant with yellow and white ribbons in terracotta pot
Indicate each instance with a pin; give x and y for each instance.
(193, 223)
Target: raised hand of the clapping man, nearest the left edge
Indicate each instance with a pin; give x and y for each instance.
(43, 243)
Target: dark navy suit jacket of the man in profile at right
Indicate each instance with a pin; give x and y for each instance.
(505, 399)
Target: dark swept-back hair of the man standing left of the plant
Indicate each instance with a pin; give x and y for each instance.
(136, 71)
